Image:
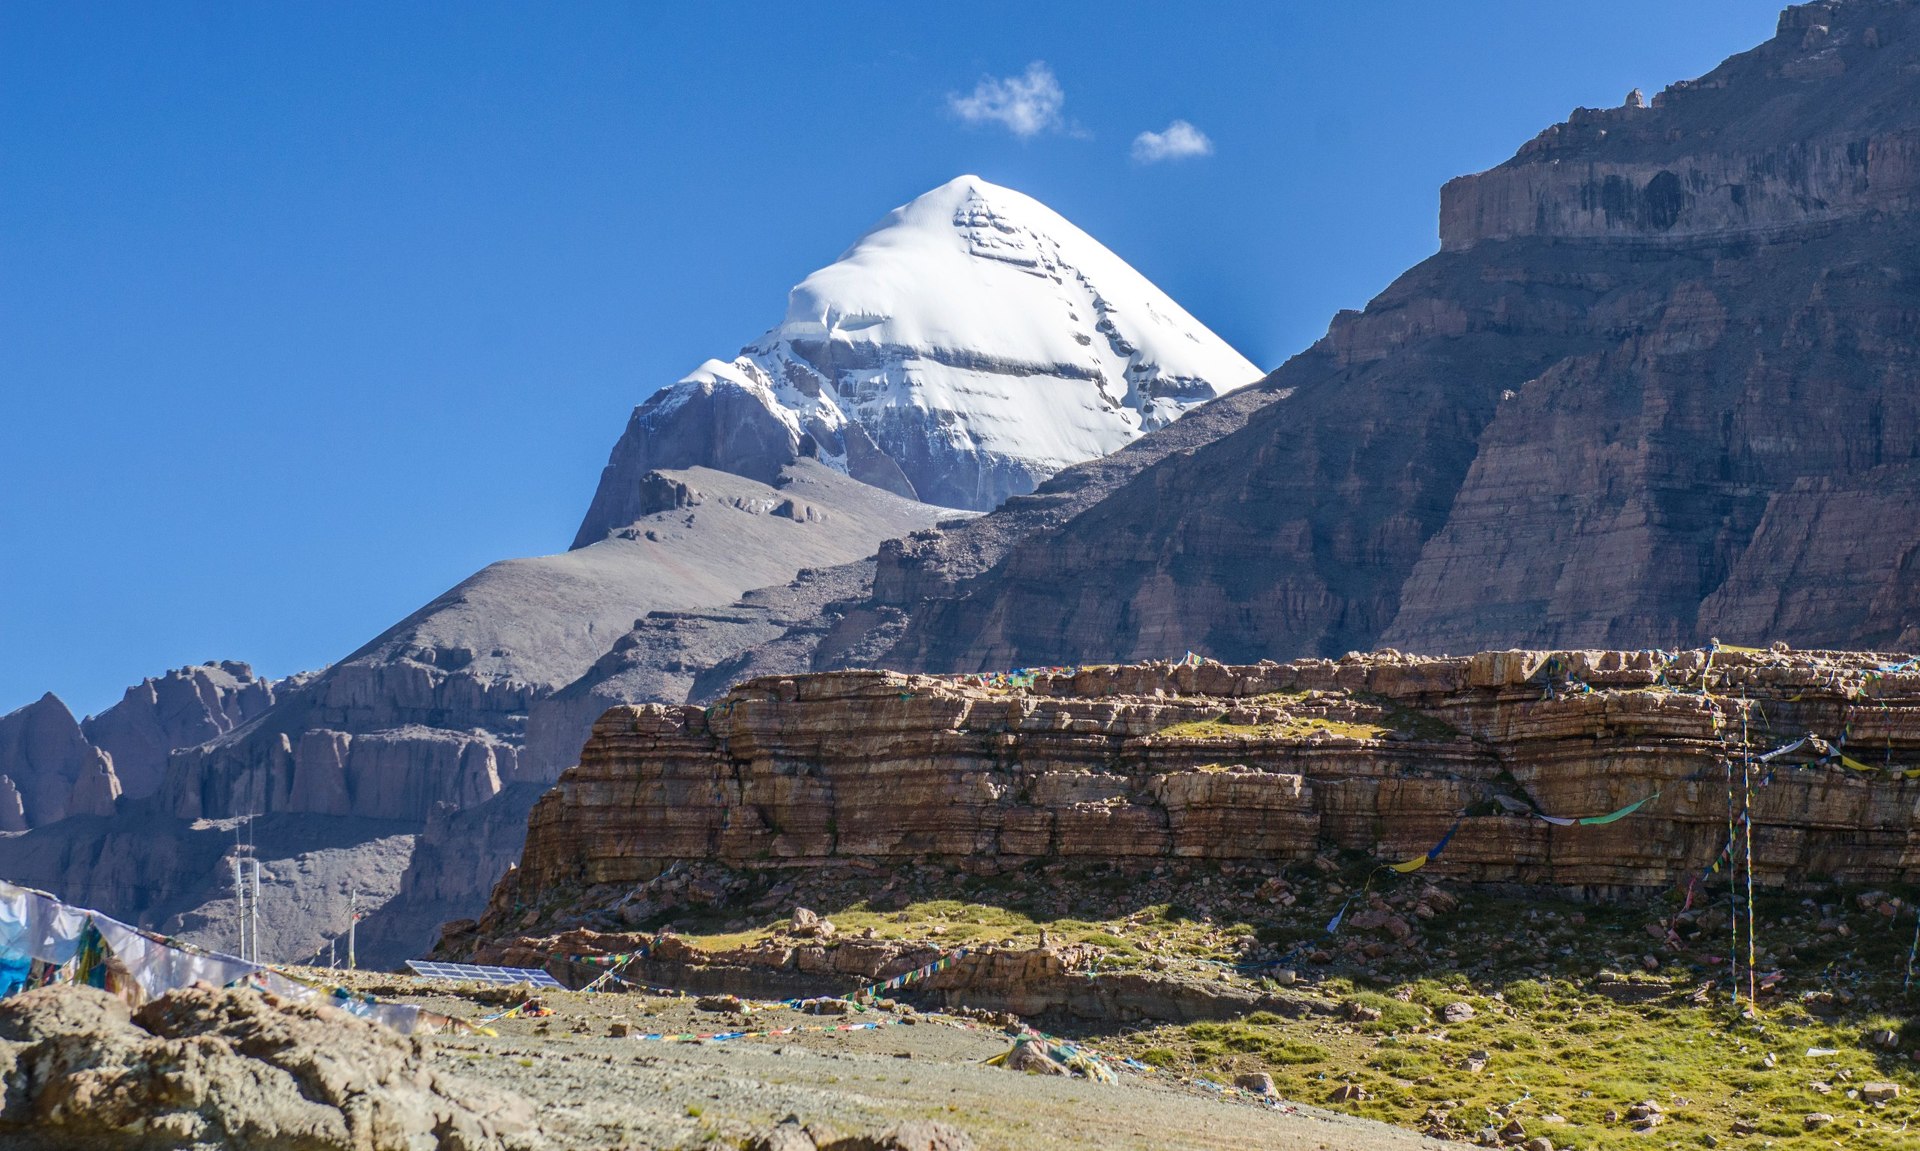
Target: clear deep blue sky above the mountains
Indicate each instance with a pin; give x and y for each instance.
(310, 310)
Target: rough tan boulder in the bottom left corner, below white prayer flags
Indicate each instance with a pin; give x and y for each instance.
(233, 1067)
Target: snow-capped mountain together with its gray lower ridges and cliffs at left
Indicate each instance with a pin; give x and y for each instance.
(978, 335)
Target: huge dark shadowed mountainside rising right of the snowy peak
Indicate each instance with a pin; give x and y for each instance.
(1654, 389)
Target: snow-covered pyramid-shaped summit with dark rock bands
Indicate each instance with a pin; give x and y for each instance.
(961, 353)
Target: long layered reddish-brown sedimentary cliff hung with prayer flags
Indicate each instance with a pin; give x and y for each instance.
(1378, 754)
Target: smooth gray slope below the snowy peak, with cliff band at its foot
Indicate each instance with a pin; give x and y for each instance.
(437, 710)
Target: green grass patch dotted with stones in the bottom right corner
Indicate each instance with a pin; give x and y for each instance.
(1558, 1050)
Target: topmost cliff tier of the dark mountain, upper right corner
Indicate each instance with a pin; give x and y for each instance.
(1800, 132)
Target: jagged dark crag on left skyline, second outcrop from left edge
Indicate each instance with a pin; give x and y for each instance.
(183, 708)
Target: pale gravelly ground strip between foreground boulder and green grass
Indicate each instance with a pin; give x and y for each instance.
(600, 1092)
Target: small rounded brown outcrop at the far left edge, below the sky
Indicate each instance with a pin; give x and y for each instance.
(51, 768)
